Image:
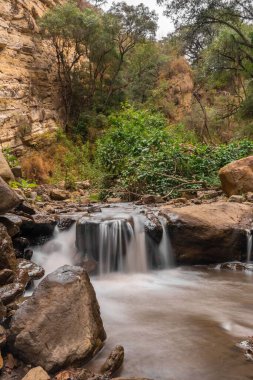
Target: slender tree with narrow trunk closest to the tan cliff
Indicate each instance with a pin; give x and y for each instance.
(69, 29)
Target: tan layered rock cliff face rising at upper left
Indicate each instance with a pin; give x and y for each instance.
(29, 92)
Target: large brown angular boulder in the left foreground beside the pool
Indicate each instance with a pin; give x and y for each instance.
(60, 323)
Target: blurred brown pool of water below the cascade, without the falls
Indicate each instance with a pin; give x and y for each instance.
(178, 324)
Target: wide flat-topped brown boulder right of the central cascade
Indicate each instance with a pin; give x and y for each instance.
(209, 233)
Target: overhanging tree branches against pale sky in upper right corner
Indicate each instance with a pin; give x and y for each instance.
(199, 19)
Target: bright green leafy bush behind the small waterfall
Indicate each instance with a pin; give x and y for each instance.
(139, 154)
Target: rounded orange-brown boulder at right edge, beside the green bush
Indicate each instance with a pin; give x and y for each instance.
(237, 177)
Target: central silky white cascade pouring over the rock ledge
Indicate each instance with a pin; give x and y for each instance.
(122, 244)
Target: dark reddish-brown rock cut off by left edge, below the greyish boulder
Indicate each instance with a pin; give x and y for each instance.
(7, 255)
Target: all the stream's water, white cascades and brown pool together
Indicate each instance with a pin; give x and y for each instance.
(176, 323)
